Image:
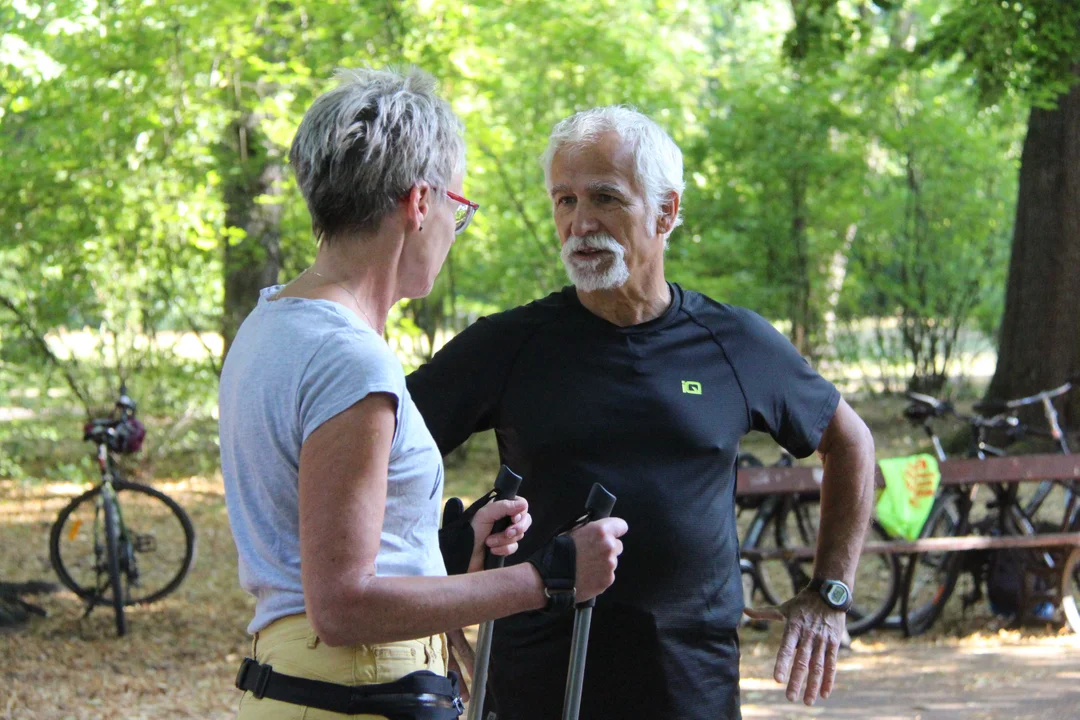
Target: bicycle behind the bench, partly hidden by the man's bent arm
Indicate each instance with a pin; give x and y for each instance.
(793, 521)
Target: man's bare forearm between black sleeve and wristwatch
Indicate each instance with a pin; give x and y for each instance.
(847, 499)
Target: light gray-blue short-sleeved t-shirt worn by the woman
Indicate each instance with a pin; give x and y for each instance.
(295, 364)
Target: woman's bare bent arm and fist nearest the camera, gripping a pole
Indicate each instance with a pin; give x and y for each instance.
(344, 469)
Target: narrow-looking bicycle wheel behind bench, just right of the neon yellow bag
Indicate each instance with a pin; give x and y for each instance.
(930, 578)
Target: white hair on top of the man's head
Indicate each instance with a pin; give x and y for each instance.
(658, 160)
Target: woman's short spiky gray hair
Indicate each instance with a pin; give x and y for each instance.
(363, 145)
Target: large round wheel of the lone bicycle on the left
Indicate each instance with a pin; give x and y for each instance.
(161, 544)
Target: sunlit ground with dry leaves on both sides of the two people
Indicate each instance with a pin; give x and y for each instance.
(181, 656)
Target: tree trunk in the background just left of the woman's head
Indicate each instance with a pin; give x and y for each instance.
(252, 197)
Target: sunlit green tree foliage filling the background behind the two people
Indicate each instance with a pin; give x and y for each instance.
(131, 133)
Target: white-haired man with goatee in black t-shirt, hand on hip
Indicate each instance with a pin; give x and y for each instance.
(628, 379)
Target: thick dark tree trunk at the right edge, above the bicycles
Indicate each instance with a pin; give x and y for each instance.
(1039, 341)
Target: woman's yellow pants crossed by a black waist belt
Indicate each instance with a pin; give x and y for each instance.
(292, 647)
